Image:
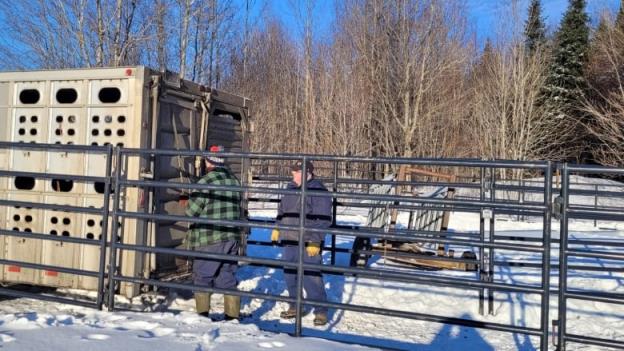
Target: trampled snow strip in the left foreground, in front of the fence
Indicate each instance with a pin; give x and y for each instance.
(33, 325)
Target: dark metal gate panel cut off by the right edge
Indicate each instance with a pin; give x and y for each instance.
(609, 251)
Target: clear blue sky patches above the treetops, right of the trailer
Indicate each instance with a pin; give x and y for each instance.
(483, 14)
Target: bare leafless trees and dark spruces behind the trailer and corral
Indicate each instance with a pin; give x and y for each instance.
(395, 78)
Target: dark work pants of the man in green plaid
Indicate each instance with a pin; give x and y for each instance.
(216, 274)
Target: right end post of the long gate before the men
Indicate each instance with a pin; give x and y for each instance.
(546, 257)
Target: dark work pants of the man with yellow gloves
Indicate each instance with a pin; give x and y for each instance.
(312, 281)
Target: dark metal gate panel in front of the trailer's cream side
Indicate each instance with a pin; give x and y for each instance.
(49, 240)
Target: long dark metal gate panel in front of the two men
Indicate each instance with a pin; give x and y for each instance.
(487, 208)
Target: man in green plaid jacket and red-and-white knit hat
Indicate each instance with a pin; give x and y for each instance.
(213, 238)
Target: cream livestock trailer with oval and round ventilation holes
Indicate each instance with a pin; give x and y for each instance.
(133, 107)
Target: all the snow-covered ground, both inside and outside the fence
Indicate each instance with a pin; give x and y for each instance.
(168, 322)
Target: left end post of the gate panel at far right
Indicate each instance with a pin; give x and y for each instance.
(563, 259)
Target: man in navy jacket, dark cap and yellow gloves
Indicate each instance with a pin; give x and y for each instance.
(318, 211)
